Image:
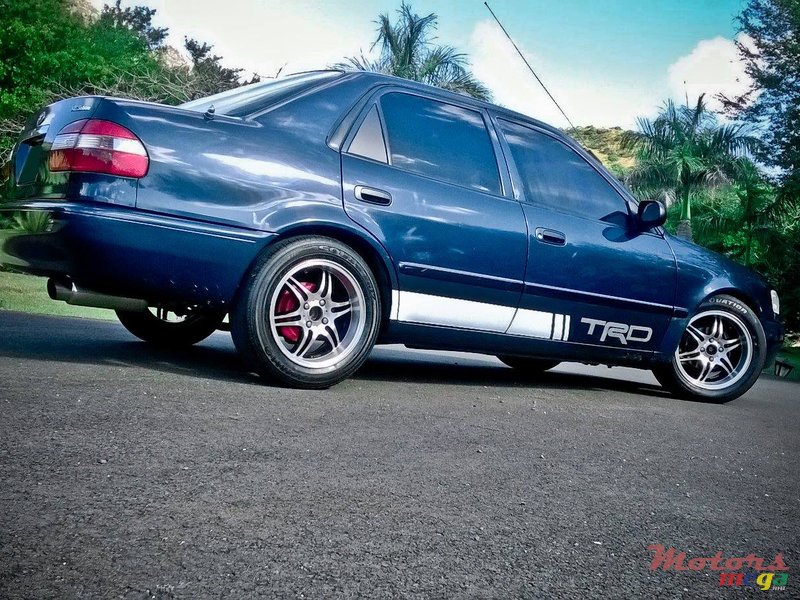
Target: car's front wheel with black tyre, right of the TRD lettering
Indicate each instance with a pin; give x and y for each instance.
(720, 355)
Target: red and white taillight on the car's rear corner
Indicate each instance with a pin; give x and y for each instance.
(95, 146)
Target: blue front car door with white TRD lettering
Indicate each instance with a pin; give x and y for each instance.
(606, 282)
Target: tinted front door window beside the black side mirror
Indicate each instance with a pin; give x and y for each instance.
(554, 175)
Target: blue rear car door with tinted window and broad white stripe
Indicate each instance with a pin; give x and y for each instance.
(421, 175)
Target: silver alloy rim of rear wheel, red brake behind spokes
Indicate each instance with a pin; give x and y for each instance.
(316, 314)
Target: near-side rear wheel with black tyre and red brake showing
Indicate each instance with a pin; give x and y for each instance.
(308, 314)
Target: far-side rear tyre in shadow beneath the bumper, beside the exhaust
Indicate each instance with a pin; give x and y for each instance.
(159, 329)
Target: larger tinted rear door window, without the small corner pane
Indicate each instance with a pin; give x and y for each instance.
(441, 141)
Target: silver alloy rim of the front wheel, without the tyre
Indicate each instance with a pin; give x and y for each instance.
(716, 350)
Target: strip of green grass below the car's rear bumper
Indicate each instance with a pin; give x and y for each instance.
(25, 293)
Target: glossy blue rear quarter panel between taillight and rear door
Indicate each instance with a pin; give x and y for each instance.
(259, 173)
